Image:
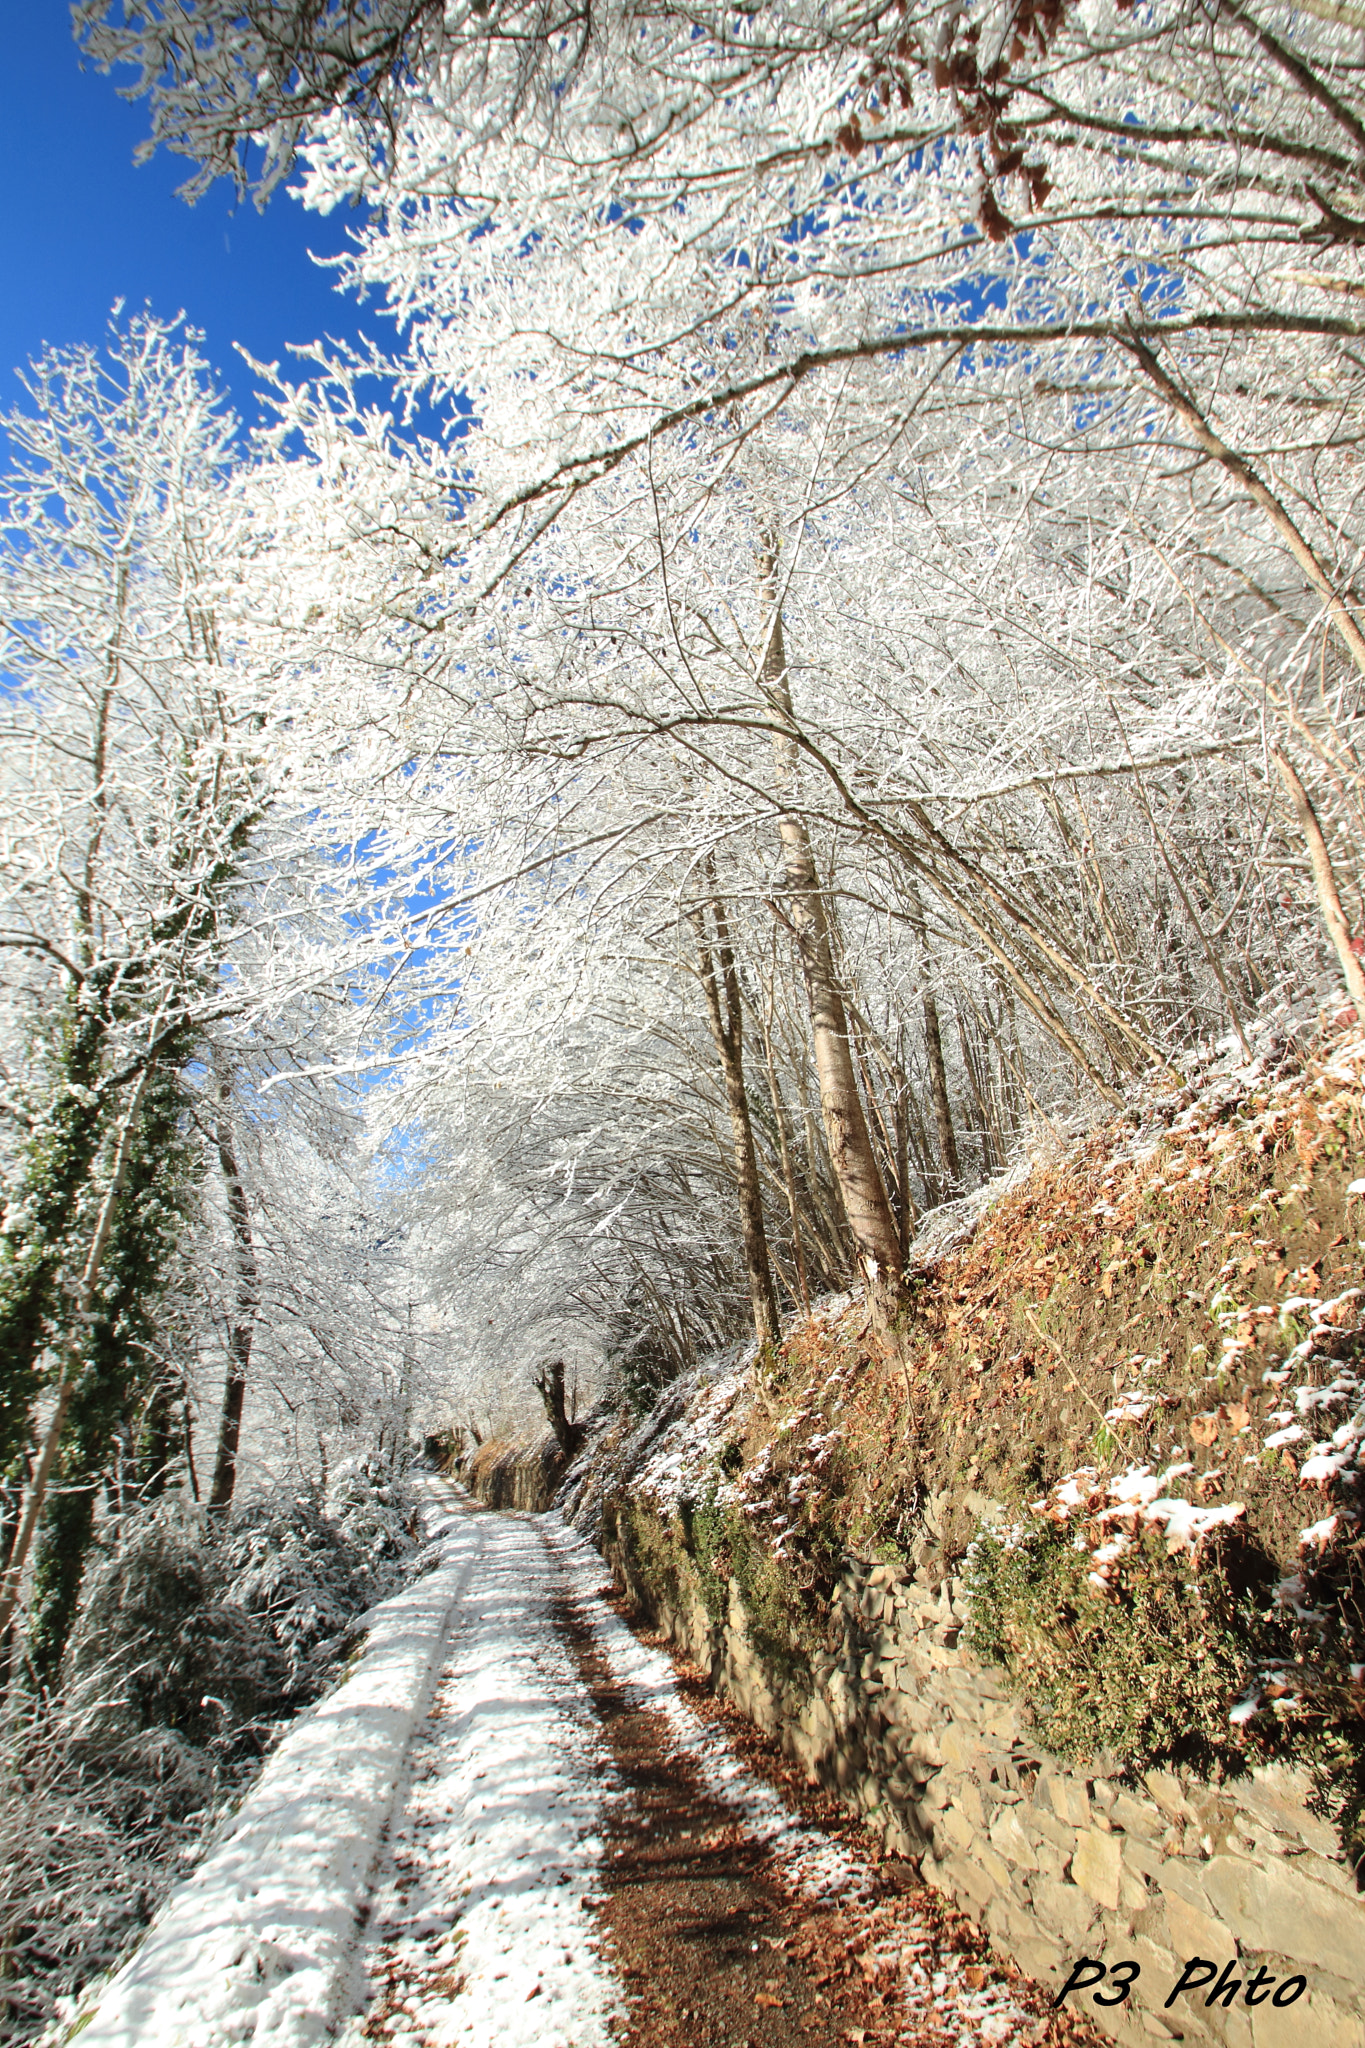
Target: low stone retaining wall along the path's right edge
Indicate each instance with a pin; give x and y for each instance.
(1055, 1863)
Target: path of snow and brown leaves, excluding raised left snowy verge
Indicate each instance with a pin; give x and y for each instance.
(592, 1850)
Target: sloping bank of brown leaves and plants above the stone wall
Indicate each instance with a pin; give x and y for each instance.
(1129, 1400)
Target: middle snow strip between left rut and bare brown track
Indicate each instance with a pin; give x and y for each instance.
(486, 1918)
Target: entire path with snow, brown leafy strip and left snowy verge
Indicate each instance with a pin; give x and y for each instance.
(511, 1830)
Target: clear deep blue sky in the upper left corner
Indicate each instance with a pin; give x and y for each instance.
(83, 228)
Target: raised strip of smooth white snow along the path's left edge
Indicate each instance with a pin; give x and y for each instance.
(257, 1945)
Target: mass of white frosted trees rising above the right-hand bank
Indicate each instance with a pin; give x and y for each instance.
(895, 579)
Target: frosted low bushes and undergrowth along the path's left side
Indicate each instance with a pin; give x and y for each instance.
(193, 1650)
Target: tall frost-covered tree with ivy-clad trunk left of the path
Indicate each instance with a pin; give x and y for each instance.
(179, 859)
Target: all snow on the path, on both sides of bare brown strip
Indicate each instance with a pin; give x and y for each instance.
(425, 1850)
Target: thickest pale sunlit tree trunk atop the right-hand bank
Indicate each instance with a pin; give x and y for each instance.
(846, 1125)
